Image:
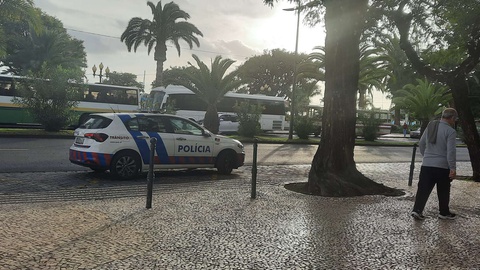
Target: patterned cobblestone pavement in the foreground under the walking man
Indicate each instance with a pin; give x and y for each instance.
(201, 220)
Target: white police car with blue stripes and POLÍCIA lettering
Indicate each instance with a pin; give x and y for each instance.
(120, 142)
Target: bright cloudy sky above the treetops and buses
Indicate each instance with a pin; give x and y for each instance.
(233, 29)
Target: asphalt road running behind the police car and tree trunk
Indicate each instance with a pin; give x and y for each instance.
(51, 155)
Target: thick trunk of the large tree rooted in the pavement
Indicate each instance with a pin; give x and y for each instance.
(333, 171)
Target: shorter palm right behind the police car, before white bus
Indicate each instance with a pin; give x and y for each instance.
(210, 85)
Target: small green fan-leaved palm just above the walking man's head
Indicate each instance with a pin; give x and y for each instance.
(424, 99)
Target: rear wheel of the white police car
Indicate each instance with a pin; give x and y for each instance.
(125, 165)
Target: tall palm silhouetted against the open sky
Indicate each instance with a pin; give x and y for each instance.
(164, 27)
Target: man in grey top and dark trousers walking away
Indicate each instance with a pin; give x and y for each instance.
(437, 146)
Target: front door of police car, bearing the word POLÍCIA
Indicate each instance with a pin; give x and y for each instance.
(191, 145)
